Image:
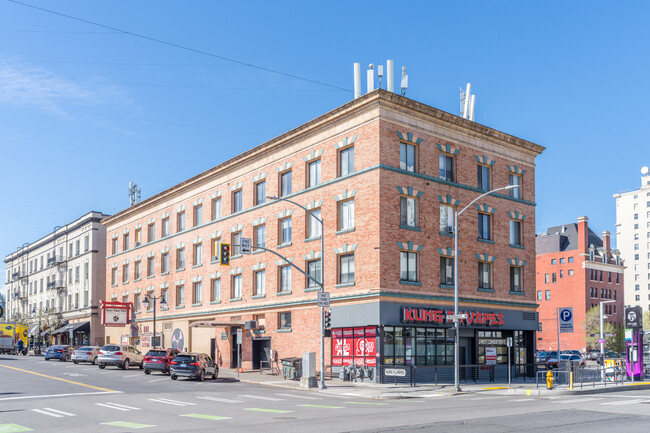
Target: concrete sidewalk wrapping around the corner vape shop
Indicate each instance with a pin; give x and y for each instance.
(373, 390)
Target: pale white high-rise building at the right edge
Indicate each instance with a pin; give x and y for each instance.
(633, 241)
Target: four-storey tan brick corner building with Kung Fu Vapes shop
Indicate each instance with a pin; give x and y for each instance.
(386, 173)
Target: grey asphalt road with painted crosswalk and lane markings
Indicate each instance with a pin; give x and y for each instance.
(41, 396)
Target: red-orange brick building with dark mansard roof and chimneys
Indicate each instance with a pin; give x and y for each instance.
(576, 268)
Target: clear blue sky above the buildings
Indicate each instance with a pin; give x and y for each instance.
(94, 95)
